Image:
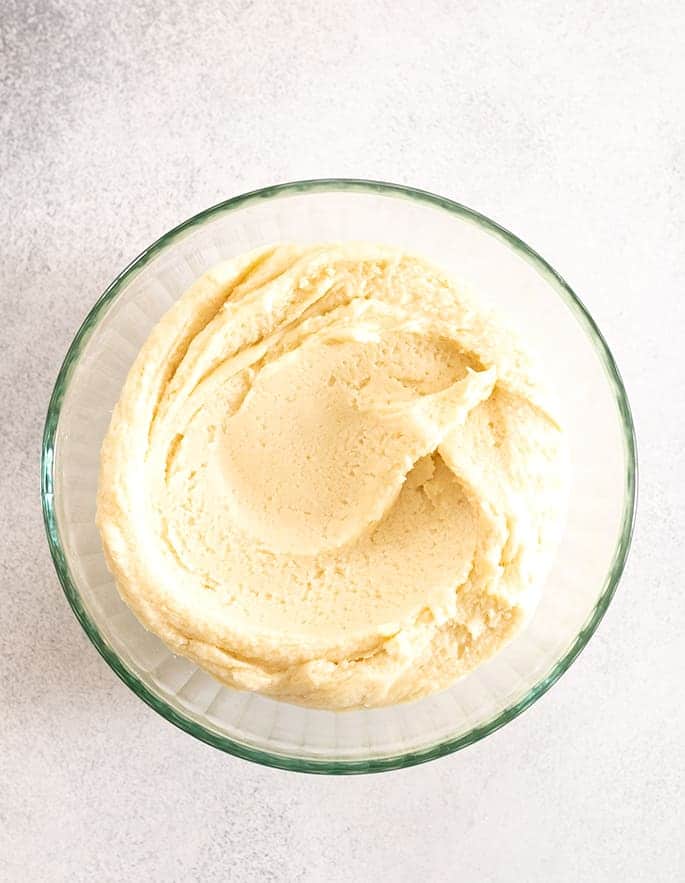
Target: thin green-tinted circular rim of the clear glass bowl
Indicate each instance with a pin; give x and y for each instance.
(328, 765)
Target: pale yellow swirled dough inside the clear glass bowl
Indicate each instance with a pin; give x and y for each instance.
(330, 478)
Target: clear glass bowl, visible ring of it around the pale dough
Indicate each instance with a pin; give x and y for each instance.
(505, 274)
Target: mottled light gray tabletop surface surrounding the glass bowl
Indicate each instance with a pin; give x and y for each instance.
(565, 123)
